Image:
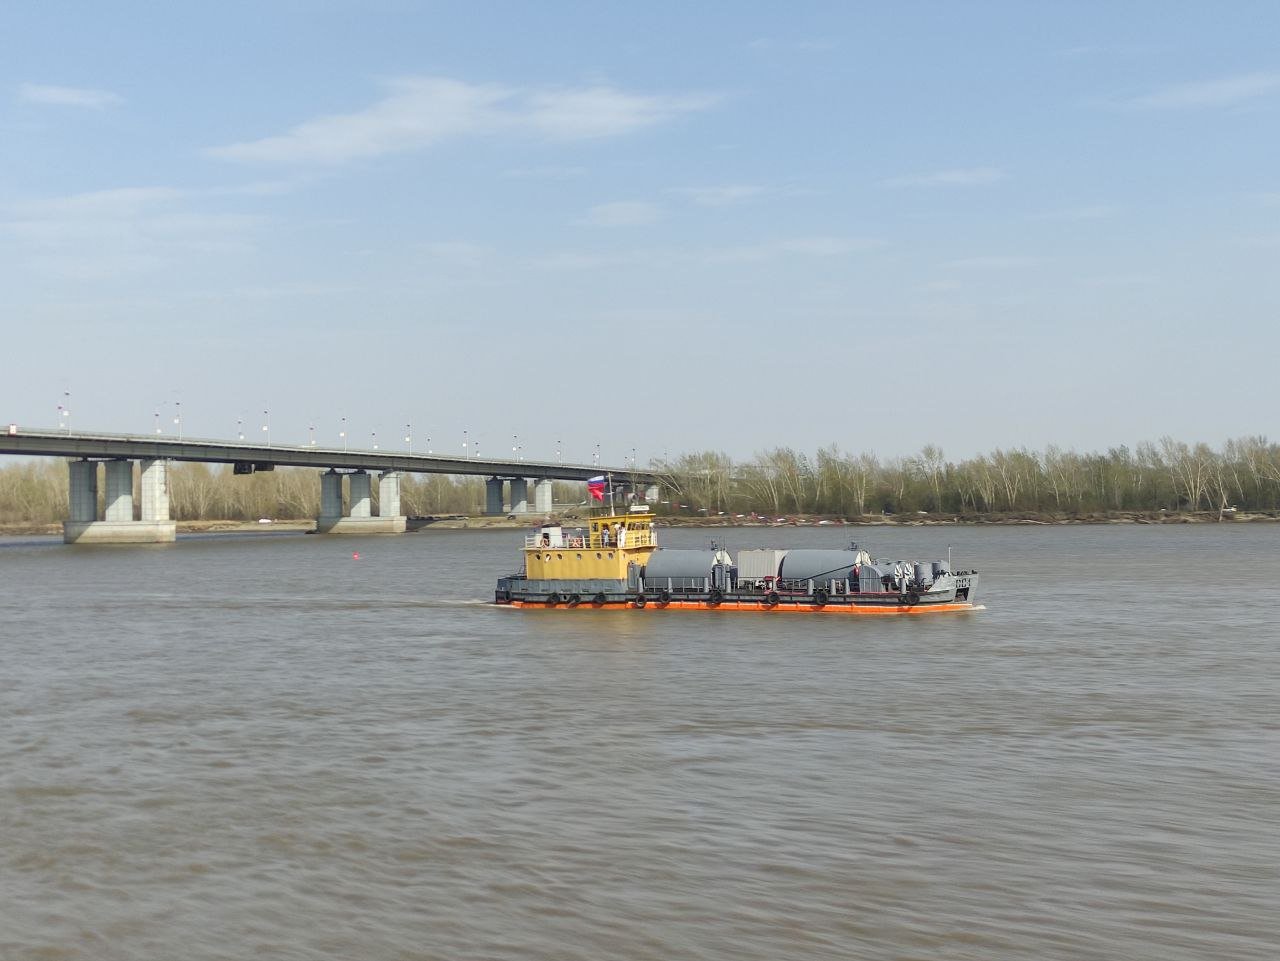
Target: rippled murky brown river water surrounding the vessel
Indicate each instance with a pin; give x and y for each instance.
(266, 747)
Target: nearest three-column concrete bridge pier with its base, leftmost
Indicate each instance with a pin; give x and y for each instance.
(118, 525)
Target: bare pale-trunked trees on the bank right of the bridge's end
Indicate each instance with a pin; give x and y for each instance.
(1167, 475)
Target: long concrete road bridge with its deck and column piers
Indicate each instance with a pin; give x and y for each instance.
(508, 482)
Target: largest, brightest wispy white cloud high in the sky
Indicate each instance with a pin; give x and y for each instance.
(420, 112)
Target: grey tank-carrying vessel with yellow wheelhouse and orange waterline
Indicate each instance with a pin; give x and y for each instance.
(616, 564)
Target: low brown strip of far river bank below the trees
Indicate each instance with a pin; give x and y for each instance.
(940, 520)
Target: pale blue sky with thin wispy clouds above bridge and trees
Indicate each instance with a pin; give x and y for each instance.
(643, 230)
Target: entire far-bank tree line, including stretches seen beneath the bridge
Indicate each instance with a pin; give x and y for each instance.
(1167, 475)
